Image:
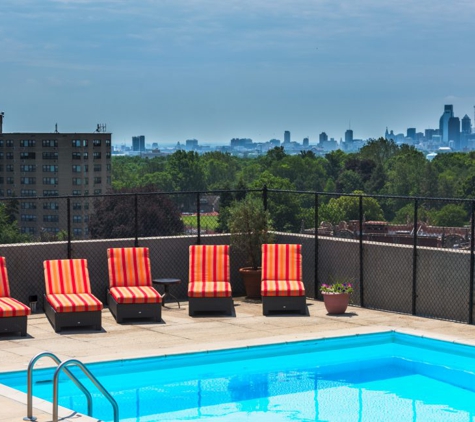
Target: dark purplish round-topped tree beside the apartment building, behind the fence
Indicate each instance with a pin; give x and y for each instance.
(114, 215)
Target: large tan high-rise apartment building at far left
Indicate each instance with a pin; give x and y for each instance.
(37, 168)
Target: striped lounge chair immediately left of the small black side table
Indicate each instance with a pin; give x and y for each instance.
(130, 293)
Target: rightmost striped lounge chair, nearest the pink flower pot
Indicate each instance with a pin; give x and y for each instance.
(282, 288)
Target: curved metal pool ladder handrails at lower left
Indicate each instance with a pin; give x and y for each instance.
(64, 366)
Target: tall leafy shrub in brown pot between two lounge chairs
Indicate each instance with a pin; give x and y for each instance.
(249, 226)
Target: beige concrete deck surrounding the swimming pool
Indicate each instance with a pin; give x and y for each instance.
(179, 333)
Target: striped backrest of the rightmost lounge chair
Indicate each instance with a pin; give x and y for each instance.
(282, 262)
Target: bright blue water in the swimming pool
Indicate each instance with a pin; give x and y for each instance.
(375, 377)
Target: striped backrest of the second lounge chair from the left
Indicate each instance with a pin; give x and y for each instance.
(64, 276)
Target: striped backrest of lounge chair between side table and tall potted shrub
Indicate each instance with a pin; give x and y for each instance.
(209, 263)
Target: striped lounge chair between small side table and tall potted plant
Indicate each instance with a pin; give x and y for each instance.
(209, 288)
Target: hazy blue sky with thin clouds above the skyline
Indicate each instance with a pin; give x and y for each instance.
(216, 69)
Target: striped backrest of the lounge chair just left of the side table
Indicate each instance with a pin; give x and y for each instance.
(129, 267)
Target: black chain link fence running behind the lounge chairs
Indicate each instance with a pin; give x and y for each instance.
(402, 254)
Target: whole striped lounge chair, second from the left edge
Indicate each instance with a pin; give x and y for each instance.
(69, 301)
